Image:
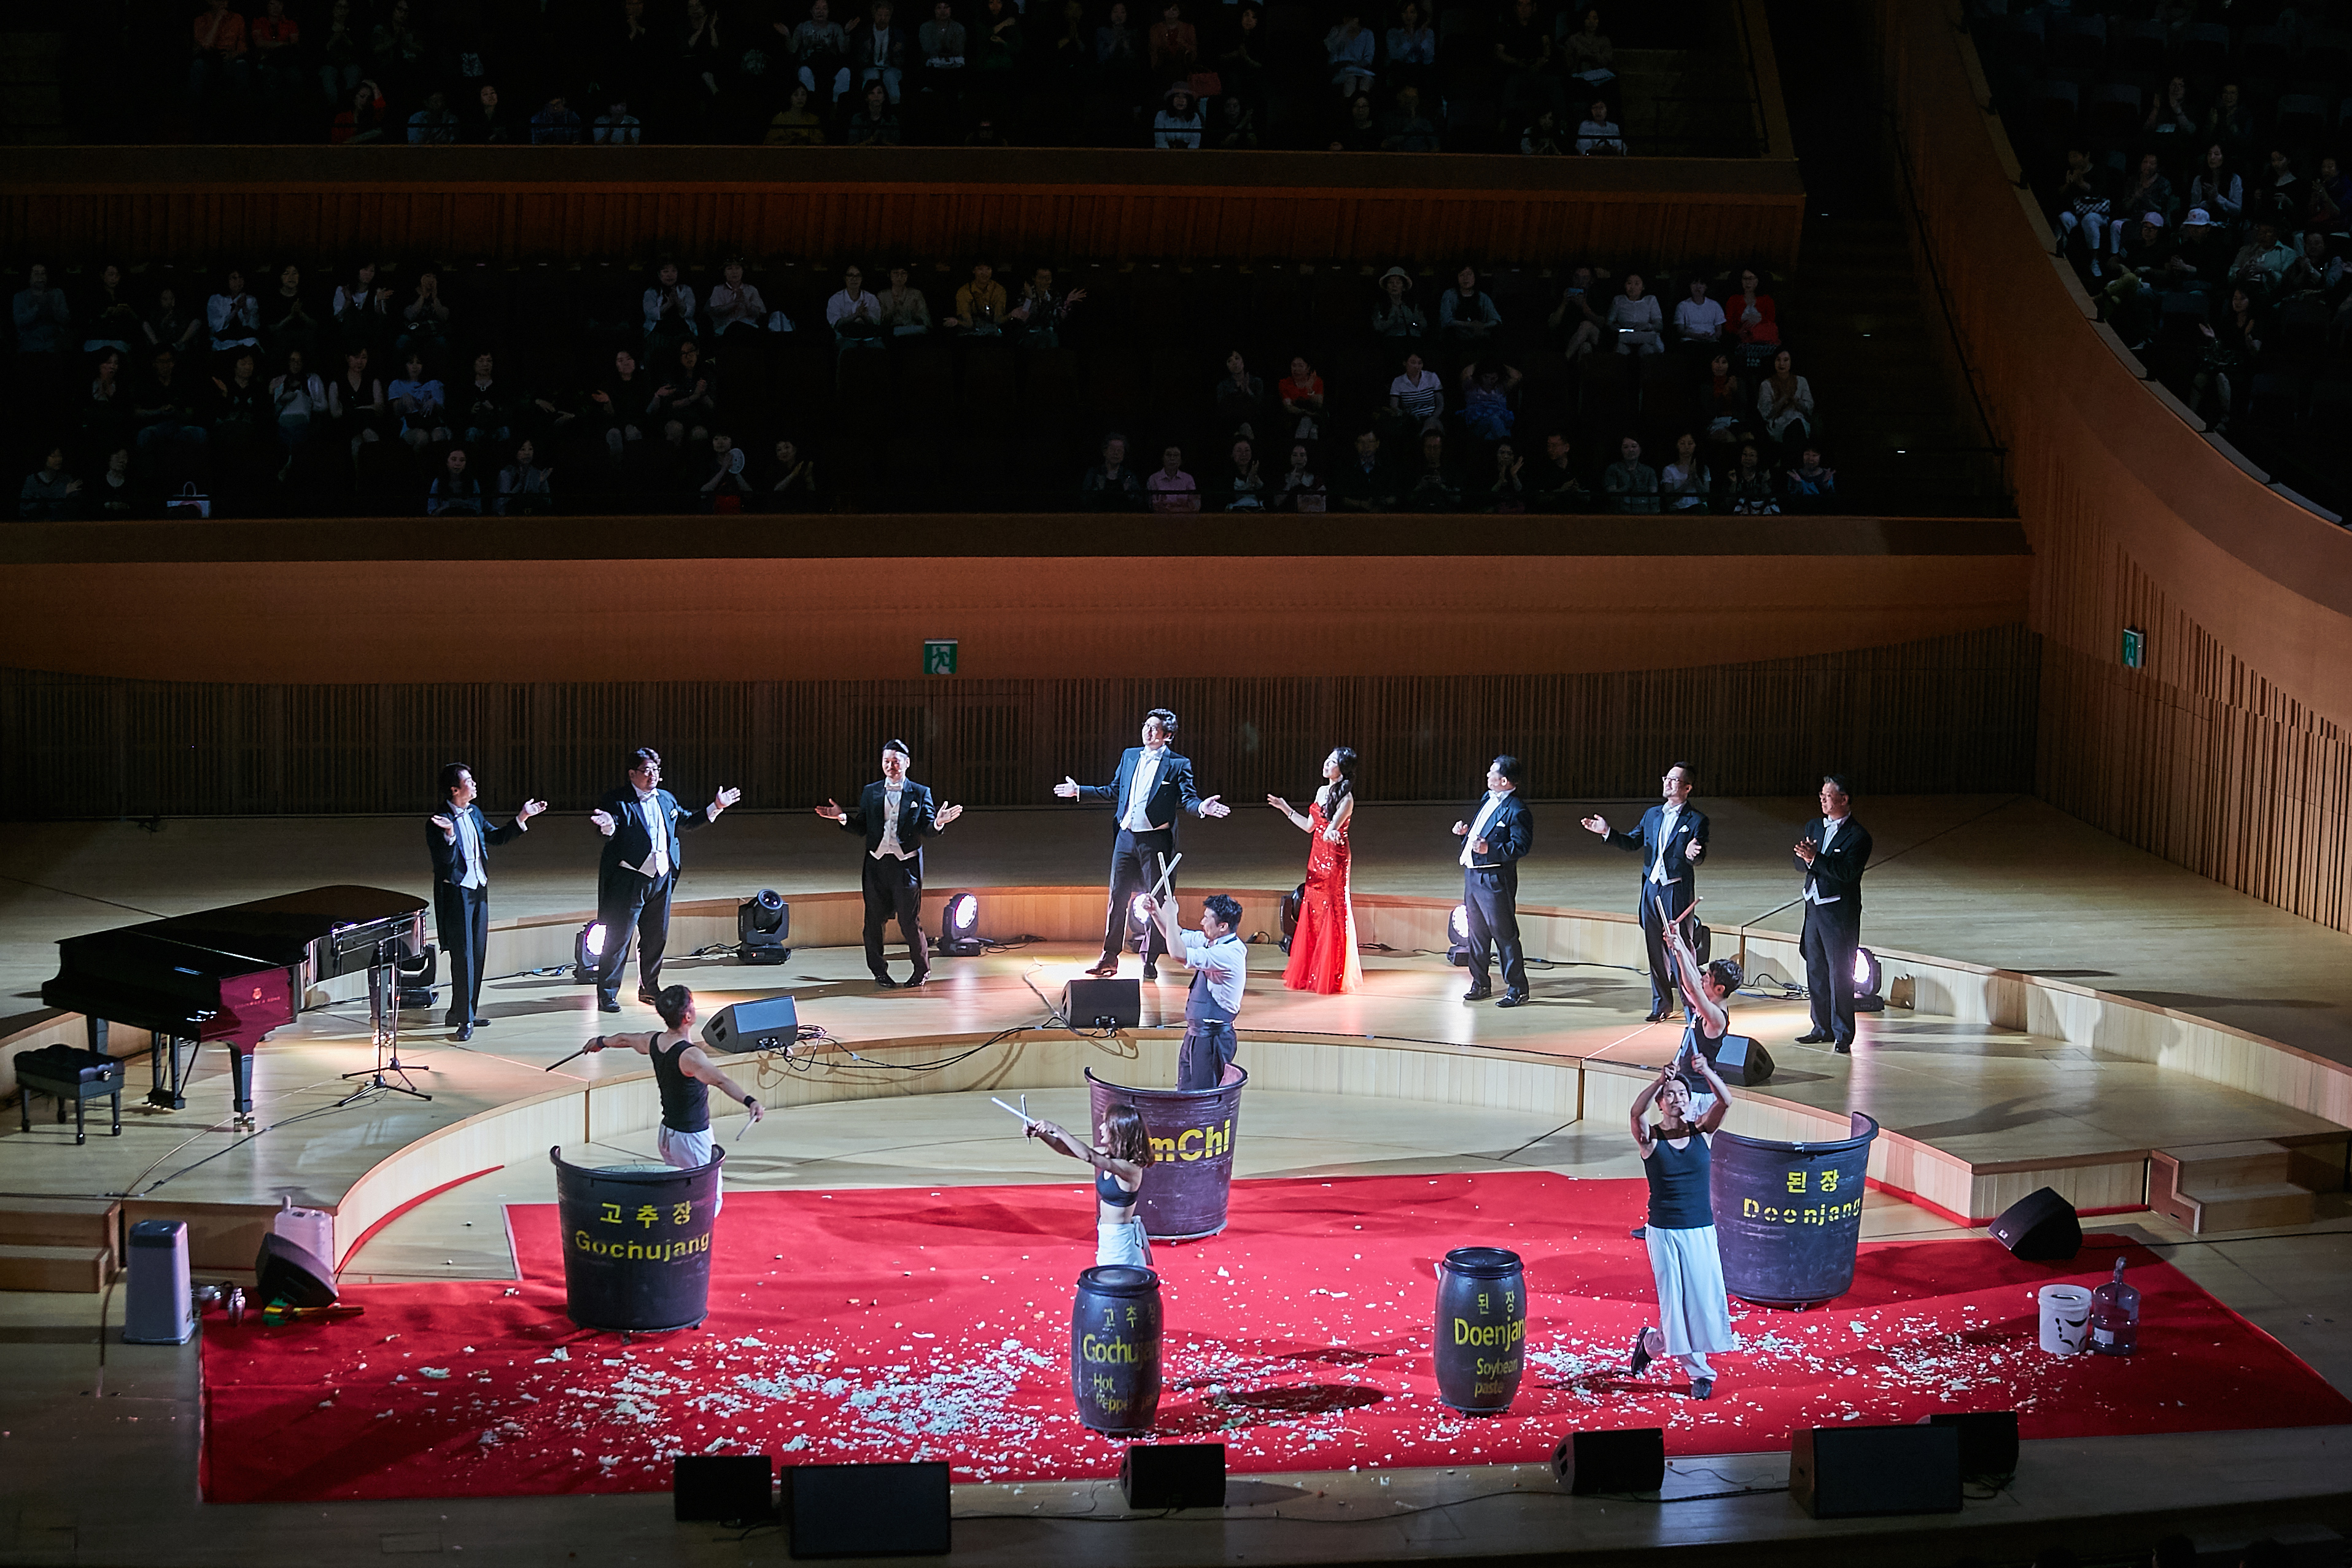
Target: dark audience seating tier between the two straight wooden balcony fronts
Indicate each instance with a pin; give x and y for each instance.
(883, 387)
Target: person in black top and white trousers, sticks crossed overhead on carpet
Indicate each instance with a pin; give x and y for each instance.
(1695, 1313)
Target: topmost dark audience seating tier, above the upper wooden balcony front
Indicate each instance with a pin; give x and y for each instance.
(1417, 76)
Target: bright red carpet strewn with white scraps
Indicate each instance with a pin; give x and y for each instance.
(937, 1325)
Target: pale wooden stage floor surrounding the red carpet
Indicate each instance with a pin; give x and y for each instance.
(2000, 883)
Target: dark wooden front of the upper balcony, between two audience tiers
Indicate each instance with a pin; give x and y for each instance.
(1095, 206)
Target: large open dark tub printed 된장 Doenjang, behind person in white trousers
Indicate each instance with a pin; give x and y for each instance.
(1789, 1214)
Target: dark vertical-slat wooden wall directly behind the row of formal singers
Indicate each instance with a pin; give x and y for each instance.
(1953, 713)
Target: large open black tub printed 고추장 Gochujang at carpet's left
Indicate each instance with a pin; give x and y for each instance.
(636, 1242)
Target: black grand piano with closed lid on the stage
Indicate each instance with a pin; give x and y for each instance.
(232, 974)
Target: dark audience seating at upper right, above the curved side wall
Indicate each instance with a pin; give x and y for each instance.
(2191, 163)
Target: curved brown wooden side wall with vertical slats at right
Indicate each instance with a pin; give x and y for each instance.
(2226, 753)
